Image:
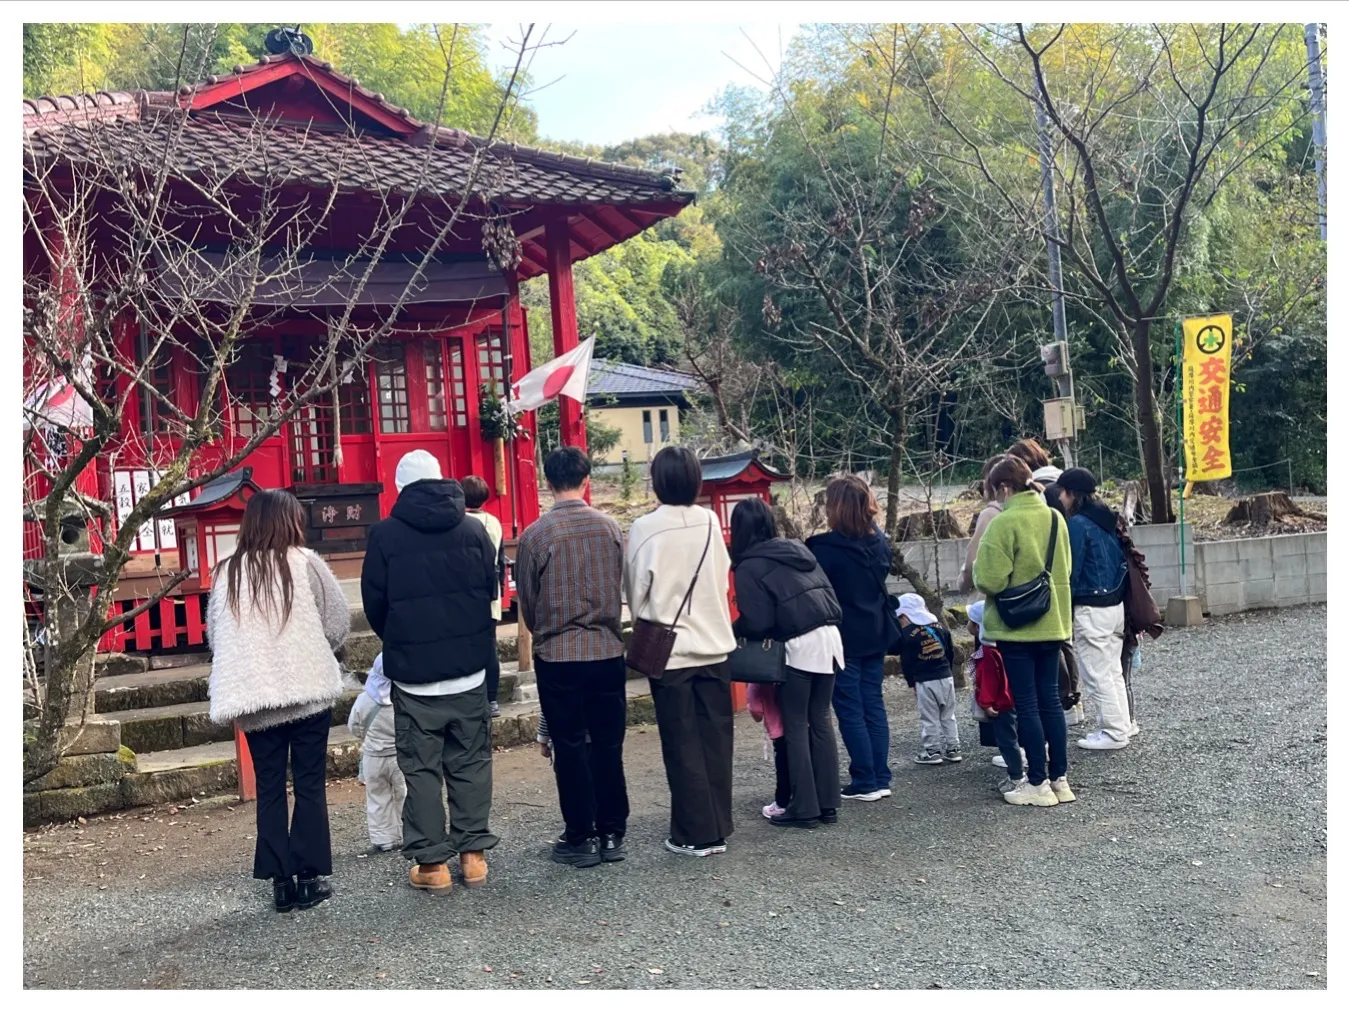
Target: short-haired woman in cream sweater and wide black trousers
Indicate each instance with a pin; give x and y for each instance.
(694, 697)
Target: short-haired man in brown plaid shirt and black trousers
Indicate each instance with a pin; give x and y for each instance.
(569, 578)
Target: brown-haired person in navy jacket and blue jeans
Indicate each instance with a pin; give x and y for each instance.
(856, 557)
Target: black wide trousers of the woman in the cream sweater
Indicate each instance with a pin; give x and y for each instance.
(695, 720)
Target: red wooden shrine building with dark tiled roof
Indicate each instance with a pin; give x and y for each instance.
(292, 129)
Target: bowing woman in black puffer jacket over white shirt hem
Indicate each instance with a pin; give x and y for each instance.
(783, 594)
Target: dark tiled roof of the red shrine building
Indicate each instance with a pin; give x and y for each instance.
(137, 129)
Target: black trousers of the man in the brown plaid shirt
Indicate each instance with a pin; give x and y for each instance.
(583, 698)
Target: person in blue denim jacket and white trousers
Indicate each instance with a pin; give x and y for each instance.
(1100, 573)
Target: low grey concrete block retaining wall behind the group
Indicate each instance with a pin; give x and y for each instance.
(1228, 577)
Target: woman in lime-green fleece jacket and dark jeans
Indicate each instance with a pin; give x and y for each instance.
(1014, 551)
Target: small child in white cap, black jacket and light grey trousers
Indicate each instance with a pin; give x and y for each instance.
(927, 656)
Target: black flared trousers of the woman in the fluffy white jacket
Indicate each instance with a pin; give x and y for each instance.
(304, 848)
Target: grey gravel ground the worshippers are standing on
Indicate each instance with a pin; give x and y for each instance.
(1195, 859)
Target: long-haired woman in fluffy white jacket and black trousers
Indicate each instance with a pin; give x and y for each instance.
(276, 617)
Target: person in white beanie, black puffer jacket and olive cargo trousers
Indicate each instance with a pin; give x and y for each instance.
(428, 585)
